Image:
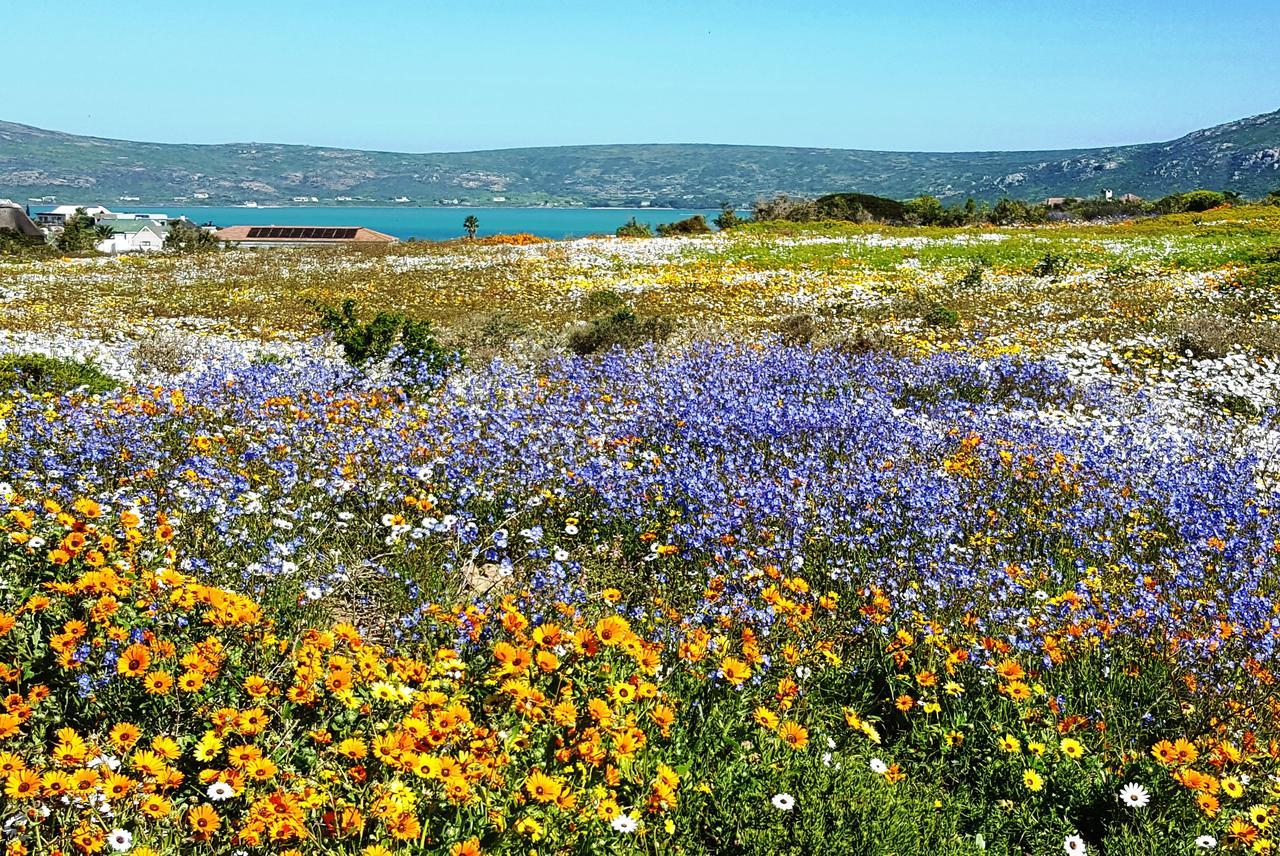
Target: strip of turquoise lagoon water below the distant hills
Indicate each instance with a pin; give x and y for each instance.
(435, 225)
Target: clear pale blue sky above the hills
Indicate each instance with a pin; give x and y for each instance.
(429, 76)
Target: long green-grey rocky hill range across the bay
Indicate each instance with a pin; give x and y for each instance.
(35, 164)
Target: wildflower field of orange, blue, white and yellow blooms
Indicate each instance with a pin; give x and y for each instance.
(902, 542)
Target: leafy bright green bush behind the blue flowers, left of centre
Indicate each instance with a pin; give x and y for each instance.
(376, 340)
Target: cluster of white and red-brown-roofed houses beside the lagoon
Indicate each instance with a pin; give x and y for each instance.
(147, 232)
